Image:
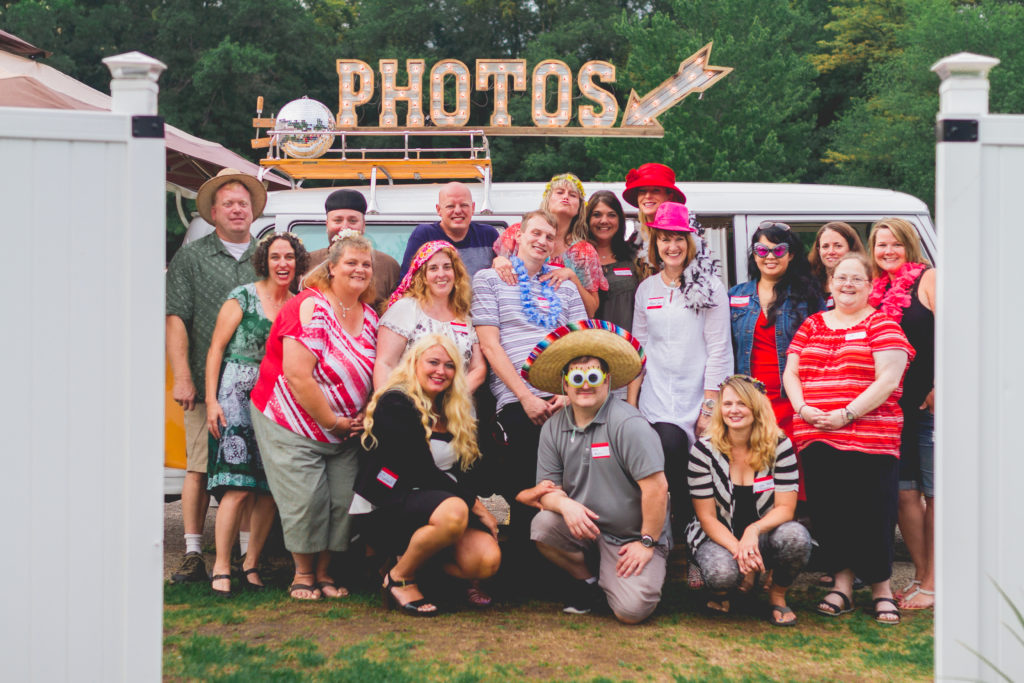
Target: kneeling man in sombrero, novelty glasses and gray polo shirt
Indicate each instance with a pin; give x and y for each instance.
(602, 485)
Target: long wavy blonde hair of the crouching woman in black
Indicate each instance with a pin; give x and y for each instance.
(455, 402)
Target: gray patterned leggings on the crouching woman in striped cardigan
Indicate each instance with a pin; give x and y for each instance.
(786, 550)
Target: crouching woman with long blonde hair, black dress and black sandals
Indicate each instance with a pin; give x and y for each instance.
(420, 438)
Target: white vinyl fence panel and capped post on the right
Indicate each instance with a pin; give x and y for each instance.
(979, 377)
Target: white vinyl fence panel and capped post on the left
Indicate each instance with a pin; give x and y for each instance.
(81, 413)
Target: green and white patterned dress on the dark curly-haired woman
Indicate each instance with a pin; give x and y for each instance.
(235, 459)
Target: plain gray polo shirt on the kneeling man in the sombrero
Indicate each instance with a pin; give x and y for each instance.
(601, 466)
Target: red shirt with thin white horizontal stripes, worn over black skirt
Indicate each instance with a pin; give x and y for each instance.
(836, 366)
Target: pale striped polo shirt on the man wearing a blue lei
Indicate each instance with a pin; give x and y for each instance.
(500, 306)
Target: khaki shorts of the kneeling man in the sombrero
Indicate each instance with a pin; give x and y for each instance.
(632, 599)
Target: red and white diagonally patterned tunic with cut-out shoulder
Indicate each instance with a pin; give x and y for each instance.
(344, 372)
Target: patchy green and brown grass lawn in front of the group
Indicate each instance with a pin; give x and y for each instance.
(269, 637)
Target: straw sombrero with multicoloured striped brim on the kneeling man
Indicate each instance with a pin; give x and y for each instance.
(598, 338)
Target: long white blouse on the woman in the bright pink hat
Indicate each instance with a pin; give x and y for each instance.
(688, 352)
